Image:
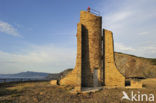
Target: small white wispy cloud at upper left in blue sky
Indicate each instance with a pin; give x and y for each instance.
(8, 29)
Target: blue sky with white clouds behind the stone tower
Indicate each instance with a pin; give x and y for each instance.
(40, 35)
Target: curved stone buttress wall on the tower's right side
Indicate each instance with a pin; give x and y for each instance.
(112, 77)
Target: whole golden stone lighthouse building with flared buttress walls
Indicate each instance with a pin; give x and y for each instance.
(95, 65)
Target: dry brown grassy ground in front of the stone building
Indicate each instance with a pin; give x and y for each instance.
(43, 92)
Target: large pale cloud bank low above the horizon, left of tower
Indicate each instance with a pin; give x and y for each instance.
(46, 58)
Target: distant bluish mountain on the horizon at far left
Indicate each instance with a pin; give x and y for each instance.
(28, 74)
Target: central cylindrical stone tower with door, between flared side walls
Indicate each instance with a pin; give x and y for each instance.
(91, 49)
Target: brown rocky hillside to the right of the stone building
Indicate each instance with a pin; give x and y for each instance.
(133, 66)
